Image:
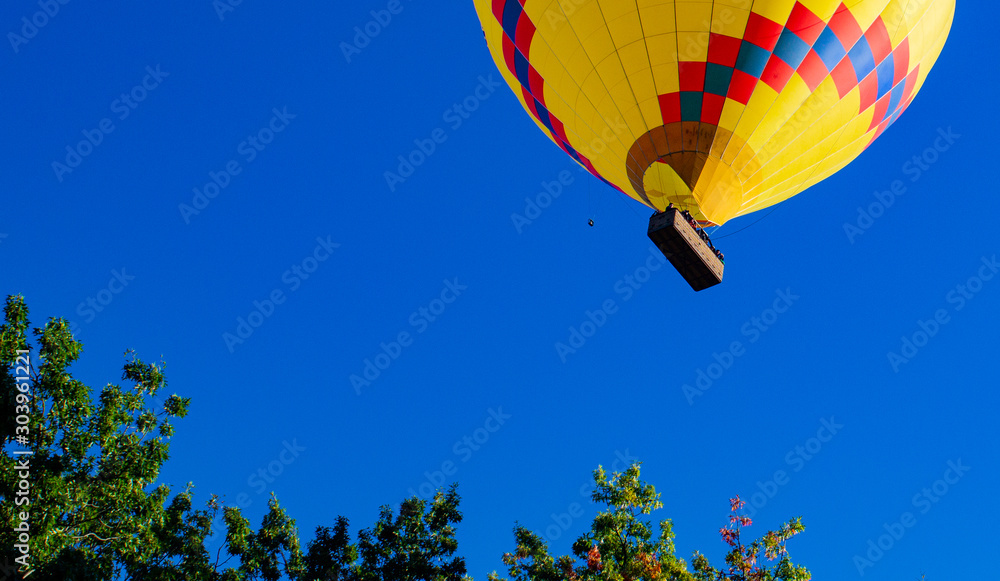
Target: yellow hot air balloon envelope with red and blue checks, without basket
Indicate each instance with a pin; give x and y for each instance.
(722, 107)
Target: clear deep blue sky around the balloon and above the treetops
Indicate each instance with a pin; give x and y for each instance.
(338, 127)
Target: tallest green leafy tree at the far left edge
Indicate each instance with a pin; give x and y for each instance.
(93, 463)
